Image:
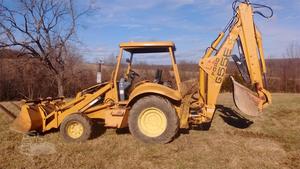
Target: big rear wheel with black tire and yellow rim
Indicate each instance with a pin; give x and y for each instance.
(153, 119)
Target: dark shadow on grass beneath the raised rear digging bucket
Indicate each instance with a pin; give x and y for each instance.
(233, 118)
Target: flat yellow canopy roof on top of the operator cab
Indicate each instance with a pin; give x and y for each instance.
(148, 47)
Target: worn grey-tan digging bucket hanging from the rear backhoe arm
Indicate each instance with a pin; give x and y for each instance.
(246, 100)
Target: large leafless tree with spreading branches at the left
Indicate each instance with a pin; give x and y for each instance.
(41, 29)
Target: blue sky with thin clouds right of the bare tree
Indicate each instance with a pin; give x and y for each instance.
(191, 24)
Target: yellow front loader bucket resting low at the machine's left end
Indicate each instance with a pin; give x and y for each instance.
(29, 119)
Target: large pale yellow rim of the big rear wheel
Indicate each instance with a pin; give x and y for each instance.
(152, 122)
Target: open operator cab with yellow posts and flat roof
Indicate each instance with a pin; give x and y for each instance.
(127, 80)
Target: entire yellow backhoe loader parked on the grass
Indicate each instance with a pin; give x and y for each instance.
(154, 110)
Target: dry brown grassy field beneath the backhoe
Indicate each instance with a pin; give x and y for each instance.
(269, 141)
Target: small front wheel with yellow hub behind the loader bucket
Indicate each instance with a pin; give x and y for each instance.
(76, 128)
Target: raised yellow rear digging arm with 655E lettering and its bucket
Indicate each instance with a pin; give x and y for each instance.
(241, 29)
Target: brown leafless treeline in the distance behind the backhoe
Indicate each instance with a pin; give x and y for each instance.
(24, 78)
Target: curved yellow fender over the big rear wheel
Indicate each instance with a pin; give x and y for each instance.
(154, 88)
